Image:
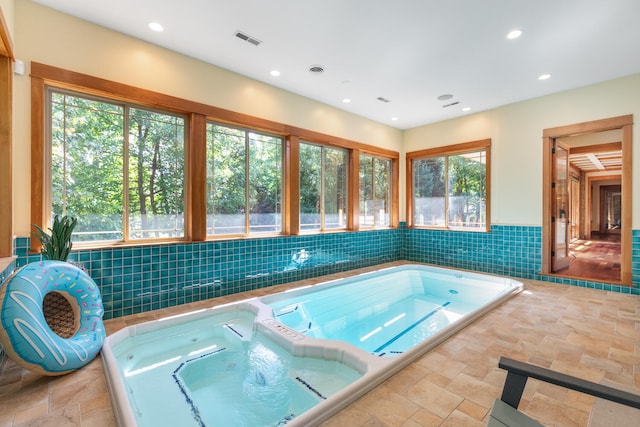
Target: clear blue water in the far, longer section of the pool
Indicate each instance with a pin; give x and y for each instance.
(383, 314)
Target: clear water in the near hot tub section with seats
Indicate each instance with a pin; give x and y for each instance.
(216, 371)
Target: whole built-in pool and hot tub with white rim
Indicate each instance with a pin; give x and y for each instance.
(293, 358)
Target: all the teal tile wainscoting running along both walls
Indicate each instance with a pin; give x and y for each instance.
(143, 278)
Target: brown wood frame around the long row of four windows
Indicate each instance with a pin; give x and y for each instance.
(44, 76)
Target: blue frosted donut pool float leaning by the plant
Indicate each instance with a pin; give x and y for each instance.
(25, 334)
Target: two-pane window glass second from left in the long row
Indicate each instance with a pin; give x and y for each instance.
(244, 181)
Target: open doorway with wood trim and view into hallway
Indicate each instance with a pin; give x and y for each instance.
(587, 200)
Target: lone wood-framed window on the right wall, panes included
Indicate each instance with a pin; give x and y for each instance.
(450, 187)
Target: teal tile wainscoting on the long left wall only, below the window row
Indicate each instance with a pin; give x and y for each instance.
(143, 278)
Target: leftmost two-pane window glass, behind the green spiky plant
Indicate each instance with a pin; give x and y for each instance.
(118, 168)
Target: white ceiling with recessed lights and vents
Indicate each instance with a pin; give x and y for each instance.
(407, 51)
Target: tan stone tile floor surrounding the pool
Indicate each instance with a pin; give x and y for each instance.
(588, 333)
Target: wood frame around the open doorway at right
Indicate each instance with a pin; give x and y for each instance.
(625, 123)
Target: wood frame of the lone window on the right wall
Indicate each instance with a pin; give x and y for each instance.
(464, 147)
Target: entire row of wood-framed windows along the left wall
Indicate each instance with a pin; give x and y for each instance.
(136, 165)
